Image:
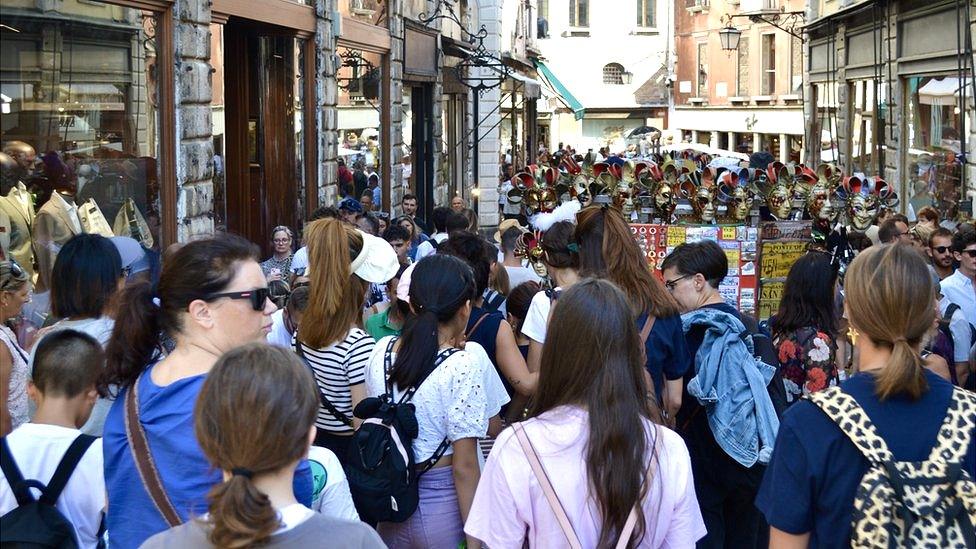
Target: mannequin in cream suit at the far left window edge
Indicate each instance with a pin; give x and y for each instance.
(17, 204)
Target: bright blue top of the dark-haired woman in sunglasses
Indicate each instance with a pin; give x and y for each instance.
(166, 414)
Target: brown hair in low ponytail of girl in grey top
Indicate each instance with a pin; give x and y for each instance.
(277, 392)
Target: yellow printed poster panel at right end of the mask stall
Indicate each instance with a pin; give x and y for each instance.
(781, 244)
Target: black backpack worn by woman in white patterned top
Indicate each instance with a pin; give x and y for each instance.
(380, 467)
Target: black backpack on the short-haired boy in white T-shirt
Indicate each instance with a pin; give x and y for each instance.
(37, 523)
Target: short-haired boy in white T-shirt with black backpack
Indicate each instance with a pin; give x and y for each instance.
(52, 487)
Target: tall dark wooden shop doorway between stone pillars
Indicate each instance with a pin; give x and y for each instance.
(262, 89)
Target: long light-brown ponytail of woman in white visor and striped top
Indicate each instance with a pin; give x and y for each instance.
(335, 296)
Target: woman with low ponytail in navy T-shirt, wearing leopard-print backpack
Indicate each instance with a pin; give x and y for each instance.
(810, 485)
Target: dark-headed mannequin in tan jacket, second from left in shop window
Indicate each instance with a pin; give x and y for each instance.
(58, 219)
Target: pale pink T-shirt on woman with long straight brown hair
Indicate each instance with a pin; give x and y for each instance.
(509, 504)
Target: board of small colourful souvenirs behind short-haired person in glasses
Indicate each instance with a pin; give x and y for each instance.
(739, 242)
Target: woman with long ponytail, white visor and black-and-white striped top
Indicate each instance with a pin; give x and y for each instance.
(343, 261)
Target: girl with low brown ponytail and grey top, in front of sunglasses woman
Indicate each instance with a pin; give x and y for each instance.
(257, 454)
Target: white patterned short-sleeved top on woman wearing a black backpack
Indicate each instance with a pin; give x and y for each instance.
(456, 401)
